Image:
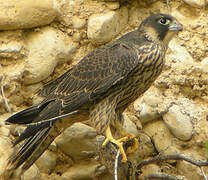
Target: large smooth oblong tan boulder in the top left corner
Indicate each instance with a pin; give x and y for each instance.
(20, 14)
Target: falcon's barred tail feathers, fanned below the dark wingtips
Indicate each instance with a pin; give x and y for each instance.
(36, 139)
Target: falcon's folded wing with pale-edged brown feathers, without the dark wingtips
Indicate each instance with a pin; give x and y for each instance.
(94, 74)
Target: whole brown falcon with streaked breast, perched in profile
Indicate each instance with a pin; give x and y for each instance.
(99, 88)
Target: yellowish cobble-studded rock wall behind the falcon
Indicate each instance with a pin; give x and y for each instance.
(39, 40)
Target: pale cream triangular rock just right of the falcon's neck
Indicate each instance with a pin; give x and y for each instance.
(179, 53)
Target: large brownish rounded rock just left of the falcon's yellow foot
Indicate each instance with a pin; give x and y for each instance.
(77, 141)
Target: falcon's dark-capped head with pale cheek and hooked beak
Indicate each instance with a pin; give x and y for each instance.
(160, 27)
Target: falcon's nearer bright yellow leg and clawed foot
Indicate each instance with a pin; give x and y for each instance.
(109, 138)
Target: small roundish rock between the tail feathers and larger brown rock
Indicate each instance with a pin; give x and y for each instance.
(47, 162)
